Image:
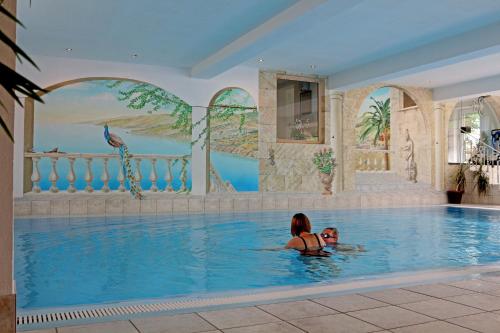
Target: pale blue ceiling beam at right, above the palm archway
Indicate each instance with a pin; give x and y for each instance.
(466, 46)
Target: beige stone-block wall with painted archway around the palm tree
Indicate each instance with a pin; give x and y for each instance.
(410, 111)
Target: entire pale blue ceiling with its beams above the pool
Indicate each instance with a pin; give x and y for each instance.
(336, 36)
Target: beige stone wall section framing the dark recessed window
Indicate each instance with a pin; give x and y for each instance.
(293, 170)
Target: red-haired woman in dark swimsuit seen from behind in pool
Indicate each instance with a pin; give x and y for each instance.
(308, 244)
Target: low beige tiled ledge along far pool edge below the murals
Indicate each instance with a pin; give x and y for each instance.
(38, 205)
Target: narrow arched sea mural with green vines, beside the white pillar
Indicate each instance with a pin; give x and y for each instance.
(234, 139)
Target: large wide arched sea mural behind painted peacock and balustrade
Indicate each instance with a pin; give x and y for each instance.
(149, 119)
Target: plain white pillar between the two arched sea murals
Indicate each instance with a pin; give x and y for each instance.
(200, 152)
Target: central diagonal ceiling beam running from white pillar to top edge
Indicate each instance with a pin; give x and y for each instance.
(296, 18)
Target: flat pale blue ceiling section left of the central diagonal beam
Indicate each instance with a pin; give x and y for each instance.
(176, 33)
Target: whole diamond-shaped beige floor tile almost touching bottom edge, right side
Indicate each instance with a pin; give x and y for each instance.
(391, 317)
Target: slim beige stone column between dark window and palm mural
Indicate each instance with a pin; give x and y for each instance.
(336, 123)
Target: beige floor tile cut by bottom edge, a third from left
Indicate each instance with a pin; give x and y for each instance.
(182, 323)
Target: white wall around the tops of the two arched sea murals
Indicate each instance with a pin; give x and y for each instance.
(196, 92)
